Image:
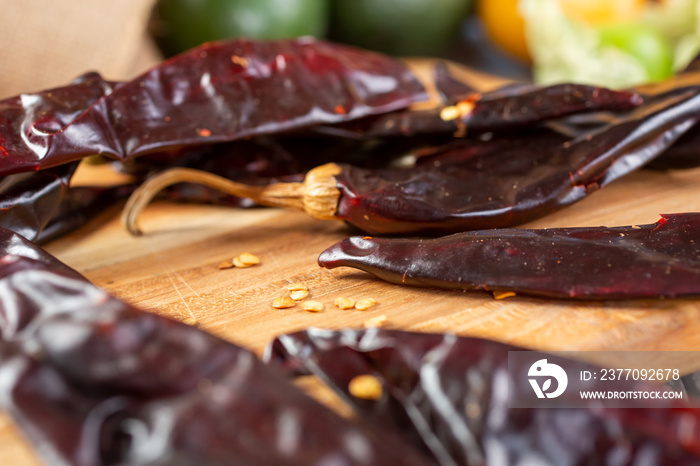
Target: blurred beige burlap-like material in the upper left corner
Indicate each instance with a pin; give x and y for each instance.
(48, 43)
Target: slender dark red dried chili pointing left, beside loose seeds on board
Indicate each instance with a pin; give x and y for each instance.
(654, 260)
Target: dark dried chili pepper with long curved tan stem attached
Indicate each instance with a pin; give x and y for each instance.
(473, 183)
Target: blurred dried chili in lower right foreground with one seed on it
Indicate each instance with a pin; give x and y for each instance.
(451, 395)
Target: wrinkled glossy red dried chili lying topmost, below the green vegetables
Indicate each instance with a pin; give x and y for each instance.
(217, 92)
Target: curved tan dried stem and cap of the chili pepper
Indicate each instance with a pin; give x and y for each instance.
(317, 195)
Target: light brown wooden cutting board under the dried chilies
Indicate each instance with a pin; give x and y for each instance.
(172, 270)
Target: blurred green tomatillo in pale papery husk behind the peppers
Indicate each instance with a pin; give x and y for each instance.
(615, 44)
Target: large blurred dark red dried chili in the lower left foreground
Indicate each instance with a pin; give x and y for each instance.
(94, 381)
